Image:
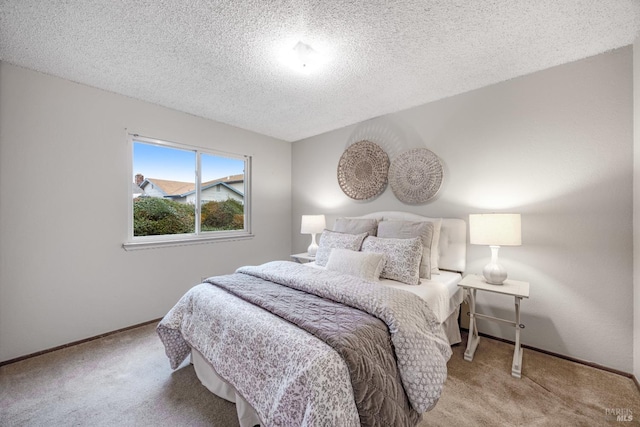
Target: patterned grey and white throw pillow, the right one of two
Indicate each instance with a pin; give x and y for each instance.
(403, 257)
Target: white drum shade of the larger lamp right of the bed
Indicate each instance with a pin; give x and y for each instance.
(495, 229)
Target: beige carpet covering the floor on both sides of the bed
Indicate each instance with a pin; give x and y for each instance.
(125, 380)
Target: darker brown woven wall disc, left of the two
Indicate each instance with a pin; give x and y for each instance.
(363, 170)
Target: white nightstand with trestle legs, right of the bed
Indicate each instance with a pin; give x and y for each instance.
(514, 288)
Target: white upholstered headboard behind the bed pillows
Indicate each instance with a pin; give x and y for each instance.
(452, 248)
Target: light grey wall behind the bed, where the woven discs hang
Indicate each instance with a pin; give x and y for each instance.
(557, 147)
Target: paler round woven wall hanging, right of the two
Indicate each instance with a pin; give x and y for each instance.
(415, 176)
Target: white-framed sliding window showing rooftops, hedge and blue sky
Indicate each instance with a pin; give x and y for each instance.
(181, 194)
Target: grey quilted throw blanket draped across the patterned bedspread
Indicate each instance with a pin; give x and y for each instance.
(361, 340)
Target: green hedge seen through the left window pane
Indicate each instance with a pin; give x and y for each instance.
(156, 216)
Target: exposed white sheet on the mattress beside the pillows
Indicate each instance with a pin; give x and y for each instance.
(441, 292)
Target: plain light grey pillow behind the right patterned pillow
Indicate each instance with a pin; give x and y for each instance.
(410, 229)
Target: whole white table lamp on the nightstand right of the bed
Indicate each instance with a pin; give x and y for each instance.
(495, 230)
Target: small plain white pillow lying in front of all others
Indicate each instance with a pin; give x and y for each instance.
(367, 266)
